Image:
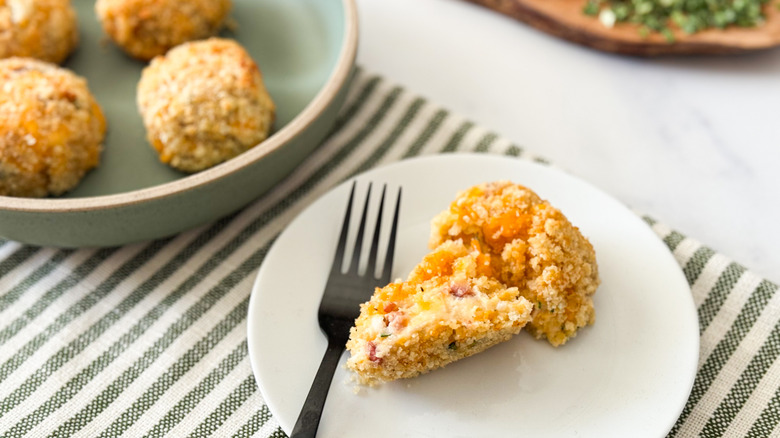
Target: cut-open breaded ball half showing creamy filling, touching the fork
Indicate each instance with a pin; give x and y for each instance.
(449, 308)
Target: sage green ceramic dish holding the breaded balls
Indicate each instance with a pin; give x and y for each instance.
(306, 51)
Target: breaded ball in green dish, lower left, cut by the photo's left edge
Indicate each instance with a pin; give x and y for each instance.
(51, 128)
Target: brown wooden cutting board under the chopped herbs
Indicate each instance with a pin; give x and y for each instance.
(565, 19)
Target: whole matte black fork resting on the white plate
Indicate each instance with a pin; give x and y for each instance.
(340, 305)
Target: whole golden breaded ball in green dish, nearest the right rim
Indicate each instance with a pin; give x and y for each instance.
(204, 103)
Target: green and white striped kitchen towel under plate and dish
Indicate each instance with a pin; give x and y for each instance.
(150, 339)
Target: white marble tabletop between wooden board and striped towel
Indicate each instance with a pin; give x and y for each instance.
(694, 142)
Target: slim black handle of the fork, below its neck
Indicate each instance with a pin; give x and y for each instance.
(309, 419)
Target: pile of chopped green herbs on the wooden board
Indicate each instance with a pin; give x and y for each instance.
(689, 16)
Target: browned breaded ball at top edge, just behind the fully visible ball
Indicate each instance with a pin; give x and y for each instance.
(147, 28)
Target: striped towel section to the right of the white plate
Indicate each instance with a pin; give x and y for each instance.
(738, 316)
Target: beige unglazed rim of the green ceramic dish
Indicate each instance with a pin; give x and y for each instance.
(310, 113)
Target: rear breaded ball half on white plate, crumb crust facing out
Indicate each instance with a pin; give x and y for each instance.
(533, 247)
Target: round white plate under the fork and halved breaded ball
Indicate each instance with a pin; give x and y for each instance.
(628, 375)
